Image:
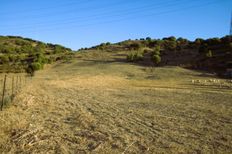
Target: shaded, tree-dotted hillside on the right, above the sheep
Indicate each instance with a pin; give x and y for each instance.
(213, 55)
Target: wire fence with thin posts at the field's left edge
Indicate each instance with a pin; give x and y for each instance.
(10, 86)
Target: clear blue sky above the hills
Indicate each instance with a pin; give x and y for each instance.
(85, 23)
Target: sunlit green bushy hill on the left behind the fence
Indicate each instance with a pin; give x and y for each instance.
(19, 54)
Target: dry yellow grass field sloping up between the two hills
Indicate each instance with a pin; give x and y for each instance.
(102, 105)
